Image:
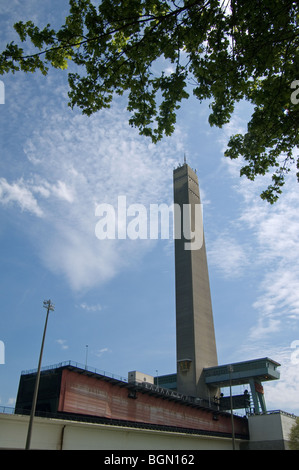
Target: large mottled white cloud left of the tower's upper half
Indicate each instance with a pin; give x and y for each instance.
(75, 163)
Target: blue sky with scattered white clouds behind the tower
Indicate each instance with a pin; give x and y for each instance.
(115, 299)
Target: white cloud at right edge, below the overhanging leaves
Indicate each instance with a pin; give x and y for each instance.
(276, 232)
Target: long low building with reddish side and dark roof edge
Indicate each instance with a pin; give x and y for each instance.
(70, 392)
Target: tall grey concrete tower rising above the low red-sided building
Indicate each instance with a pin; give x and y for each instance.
(195, 335)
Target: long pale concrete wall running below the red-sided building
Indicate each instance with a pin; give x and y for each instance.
(54, 434)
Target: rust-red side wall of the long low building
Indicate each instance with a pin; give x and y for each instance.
(87, 395)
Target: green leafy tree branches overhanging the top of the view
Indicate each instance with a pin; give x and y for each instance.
(223, 50)
